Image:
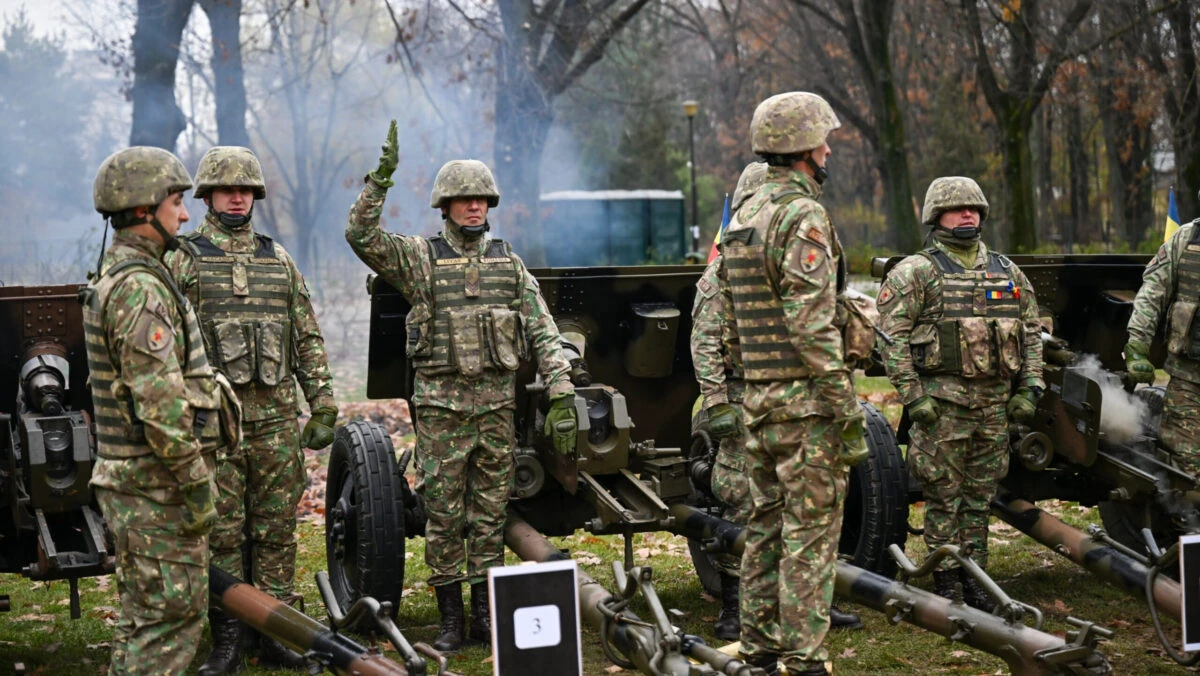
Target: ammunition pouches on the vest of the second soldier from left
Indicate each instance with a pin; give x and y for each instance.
(253, 350)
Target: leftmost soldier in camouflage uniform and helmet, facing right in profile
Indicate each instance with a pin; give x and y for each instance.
(155, 399)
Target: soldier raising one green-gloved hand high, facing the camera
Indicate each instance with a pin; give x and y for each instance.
(477, 313)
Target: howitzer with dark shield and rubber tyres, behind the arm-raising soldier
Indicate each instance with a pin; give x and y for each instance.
(641, 464)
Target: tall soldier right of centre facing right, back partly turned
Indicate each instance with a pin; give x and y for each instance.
(783, 268)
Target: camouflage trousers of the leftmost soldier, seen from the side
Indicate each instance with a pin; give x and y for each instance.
(163, 579)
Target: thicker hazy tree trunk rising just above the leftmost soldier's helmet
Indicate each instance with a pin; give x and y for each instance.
(158, 119)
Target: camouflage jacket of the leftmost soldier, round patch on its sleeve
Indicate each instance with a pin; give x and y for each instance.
(146, 338)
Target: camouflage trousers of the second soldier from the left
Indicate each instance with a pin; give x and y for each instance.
(259, 489)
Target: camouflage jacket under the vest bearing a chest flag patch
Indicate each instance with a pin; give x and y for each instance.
(911, 296)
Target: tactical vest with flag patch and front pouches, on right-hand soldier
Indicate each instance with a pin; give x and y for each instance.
(980, 332)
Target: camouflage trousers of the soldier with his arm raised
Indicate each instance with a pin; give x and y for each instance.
(469, 471)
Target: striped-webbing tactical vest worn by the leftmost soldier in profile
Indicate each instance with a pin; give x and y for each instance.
(119, 432)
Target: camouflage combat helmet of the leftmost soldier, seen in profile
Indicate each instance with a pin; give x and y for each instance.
(139, 177)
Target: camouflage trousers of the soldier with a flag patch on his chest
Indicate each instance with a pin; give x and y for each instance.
(959, 463)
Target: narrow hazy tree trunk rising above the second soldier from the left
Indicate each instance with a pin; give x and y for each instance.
(225, 19)
